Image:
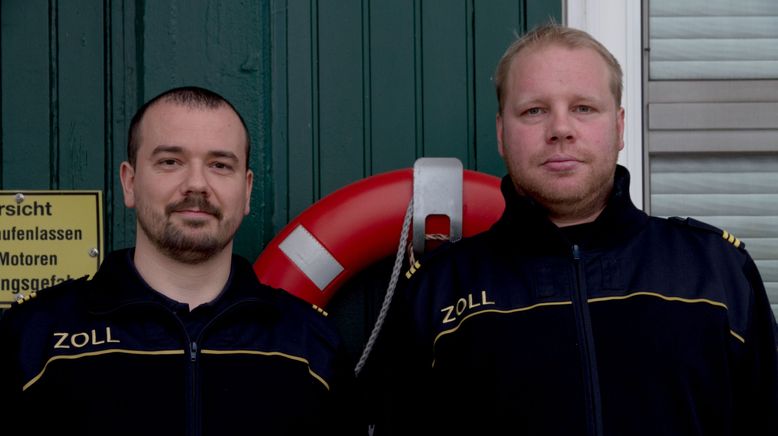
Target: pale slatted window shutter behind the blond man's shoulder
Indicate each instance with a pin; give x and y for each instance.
(712, 120)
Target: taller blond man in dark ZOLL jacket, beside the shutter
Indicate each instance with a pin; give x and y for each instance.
(576, 313)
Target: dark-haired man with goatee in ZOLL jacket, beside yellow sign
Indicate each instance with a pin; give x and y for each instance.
(174, 336)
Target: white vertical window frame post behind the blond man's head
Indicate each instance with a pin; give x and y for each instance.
(617, 25)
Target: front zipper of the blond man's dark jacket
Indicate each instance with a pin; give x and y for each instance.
(586, 339)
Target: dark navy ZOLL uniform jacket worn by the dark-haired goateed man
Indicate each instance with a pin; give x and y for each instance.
(108, 356)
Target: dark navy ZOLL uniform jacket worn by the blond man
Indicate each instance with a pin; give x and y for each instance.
(644, 326)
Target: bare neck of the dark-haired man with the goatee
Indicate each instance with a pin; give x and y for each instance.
(193, 284)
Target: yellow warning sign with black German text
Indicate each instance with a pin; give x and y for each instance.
(47, 237)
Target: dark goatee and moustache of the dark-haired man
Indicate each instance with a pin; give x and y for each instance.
(175, 241)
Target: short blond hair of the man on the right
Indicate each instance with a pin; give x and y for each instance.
(555, 34)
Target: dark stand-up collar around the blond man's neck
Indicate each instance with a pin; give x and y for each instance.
(526, 221)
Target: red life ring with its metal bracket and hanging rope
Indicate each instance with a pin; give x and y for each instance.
(359, 224)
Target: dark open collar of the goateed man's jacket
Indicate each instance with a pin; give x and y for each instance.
(117, 284)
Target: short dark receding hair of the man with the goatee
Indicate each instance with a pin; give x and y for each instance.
(188, 96)
